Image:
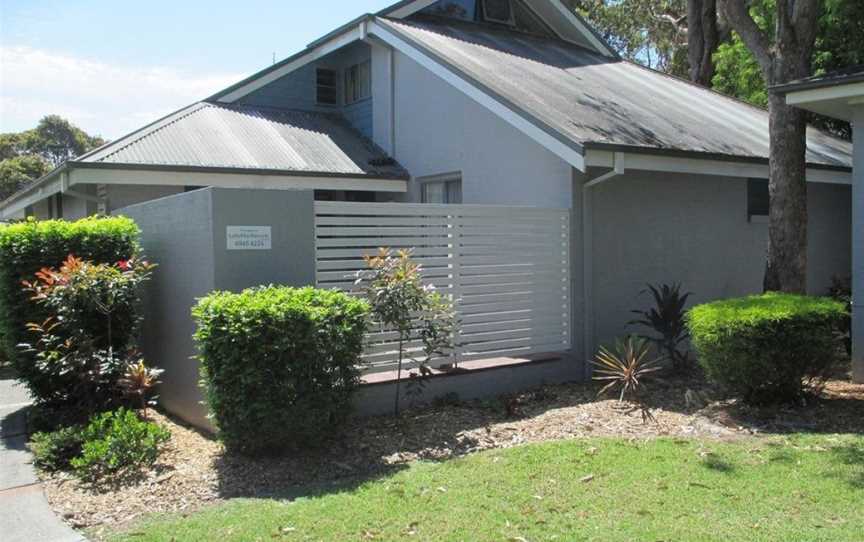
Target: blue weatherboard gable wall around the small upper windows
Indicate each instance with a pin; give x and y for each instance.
(297, 89)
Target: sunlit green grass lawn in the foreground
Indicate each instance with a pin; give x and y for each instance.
(797, 488)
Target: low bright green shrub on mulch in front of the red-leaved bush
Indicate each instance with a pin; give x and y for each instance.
(118, 442)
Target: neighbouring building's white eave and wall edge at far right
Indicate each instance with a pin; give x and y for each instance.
(841, 95)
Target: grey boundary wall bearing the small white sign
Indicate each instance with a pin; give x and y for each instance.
(185, 235)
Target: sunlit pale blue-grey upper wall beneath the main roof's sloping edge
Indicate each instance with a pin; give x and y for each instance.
(439, 130)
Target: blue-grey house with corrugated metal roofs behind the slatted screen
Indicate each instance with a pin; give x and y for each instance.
(506, 102)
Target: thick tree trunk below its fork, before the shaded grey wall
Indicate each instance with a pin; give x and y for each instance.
(786, 266)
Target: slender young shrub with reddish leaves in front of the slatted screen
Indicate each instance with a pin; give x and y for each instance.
(400, 301)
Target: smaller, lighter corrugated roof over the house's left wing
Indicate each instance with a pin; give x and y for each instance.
(231, 136)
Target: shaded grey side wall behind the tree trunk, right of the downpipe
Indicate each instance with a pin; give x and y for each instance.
(653, 227)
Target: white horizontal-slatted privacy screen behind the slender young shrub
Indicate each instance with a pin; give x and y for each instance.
(507, 267)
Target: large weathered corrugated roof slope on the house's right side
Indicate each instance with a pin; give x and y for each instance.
(592, 100)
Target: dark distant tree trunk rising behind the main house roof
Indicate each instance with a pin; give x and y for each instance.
(703, 38)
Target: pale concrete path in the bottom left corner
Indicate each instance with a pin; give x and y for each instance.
(25, 515)
